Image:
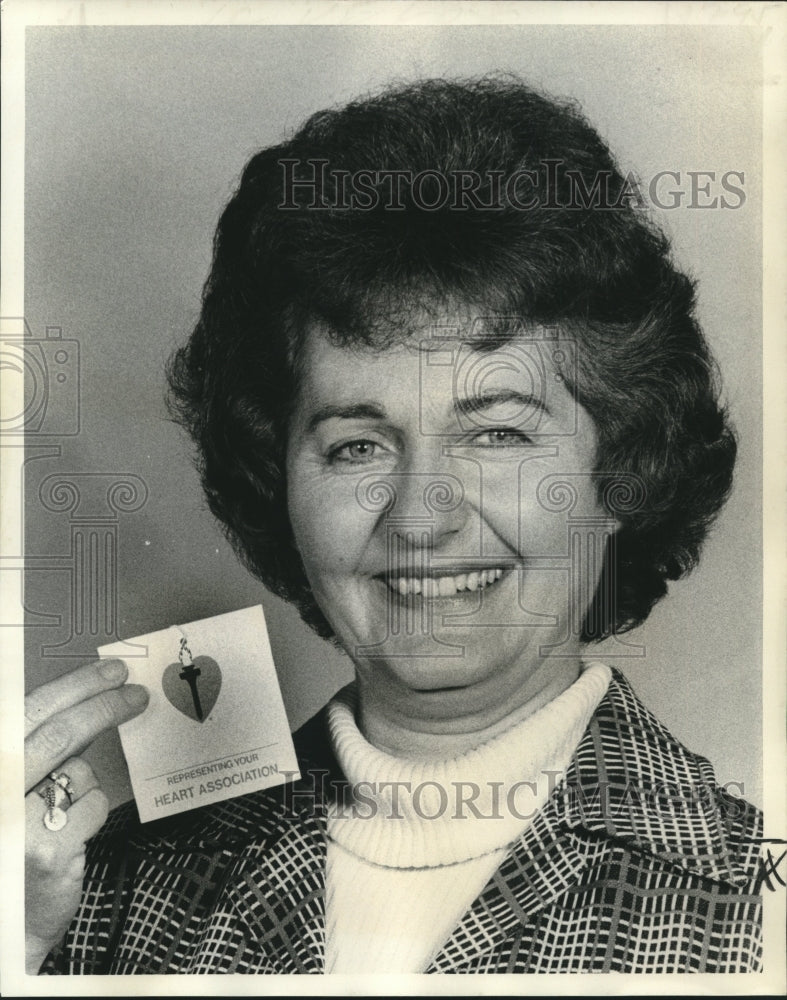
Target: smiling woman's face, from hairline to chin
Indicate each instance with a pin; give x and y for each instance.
(425, 498)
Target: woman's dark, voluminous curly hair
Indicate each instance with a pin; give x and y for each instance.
(579, 255)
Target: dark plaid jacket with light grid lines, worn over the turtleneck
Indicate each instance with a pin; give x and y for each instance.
(639, 862)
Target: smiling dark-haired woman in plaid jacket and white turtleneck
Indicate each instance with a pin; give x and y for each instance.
(451, 400)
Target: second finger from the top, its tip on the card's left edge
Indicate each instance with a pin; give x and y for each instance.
(70, 731)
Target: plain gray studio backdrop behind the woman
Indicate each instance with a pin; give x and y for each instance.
(134, 140)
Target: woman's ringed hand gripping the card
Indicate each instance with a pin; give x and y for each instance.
(61, 719)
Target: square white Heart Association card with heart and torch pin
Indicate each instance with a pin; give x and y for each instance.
(215, 726)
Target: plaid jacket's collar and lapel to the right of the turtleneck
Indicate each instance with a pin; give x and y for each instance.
(629, 781)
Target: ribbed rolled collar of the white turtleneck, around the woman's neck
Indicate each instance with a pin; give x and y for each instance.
(402, 813)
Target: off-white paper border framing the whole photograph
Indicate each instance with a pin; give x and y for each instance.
(20, 14)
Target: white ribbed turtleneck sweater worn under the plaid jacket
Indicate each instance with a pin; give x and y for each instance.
(419, 840)
